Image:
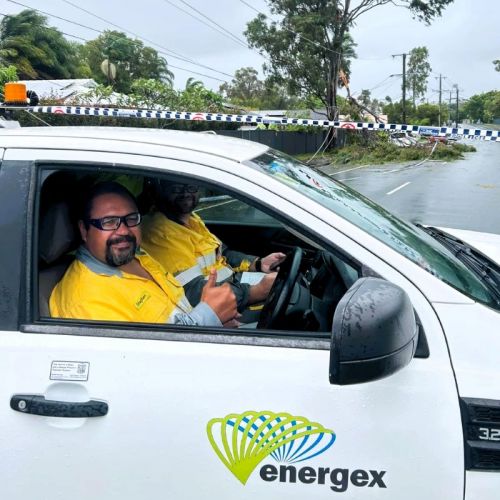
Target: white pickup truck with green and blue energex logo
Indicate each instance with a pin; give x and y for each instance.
(374, 374)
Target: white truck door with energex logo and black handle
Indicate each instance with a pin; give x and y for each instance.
(197, 412)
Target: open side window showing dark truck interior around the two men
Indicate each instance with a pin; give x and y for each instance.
(320, 278)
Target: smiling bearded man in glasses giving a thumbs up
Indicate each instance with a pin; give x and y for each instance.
(112, 279)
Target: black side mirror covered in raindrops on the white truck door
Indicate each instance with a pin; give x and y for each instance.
(374, 332)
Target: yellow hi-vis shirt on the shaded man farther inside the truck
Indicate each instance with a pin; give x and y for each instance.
(186, 251)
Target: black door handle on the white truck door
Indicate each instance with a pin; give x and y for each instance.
(38, 405)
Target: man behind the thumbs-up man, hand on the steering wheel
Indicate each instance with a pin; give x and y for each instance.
(180, 241)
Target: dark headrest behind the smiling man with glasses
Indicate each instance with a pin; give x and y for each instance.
(57, 232)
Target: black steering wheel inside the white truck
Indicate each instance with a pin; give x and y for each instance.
(279, 296)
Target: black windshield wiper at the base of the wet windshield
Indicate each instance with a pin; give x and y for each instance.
(481, 265)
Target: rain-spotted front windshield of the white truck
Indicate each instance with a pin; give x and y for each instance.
(402, 236)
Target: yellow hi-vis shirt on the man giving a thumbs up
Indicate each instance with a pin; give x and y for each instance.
(93, 290)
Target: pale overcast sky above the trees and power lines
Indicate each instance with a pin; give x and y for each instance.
(462, 44)
